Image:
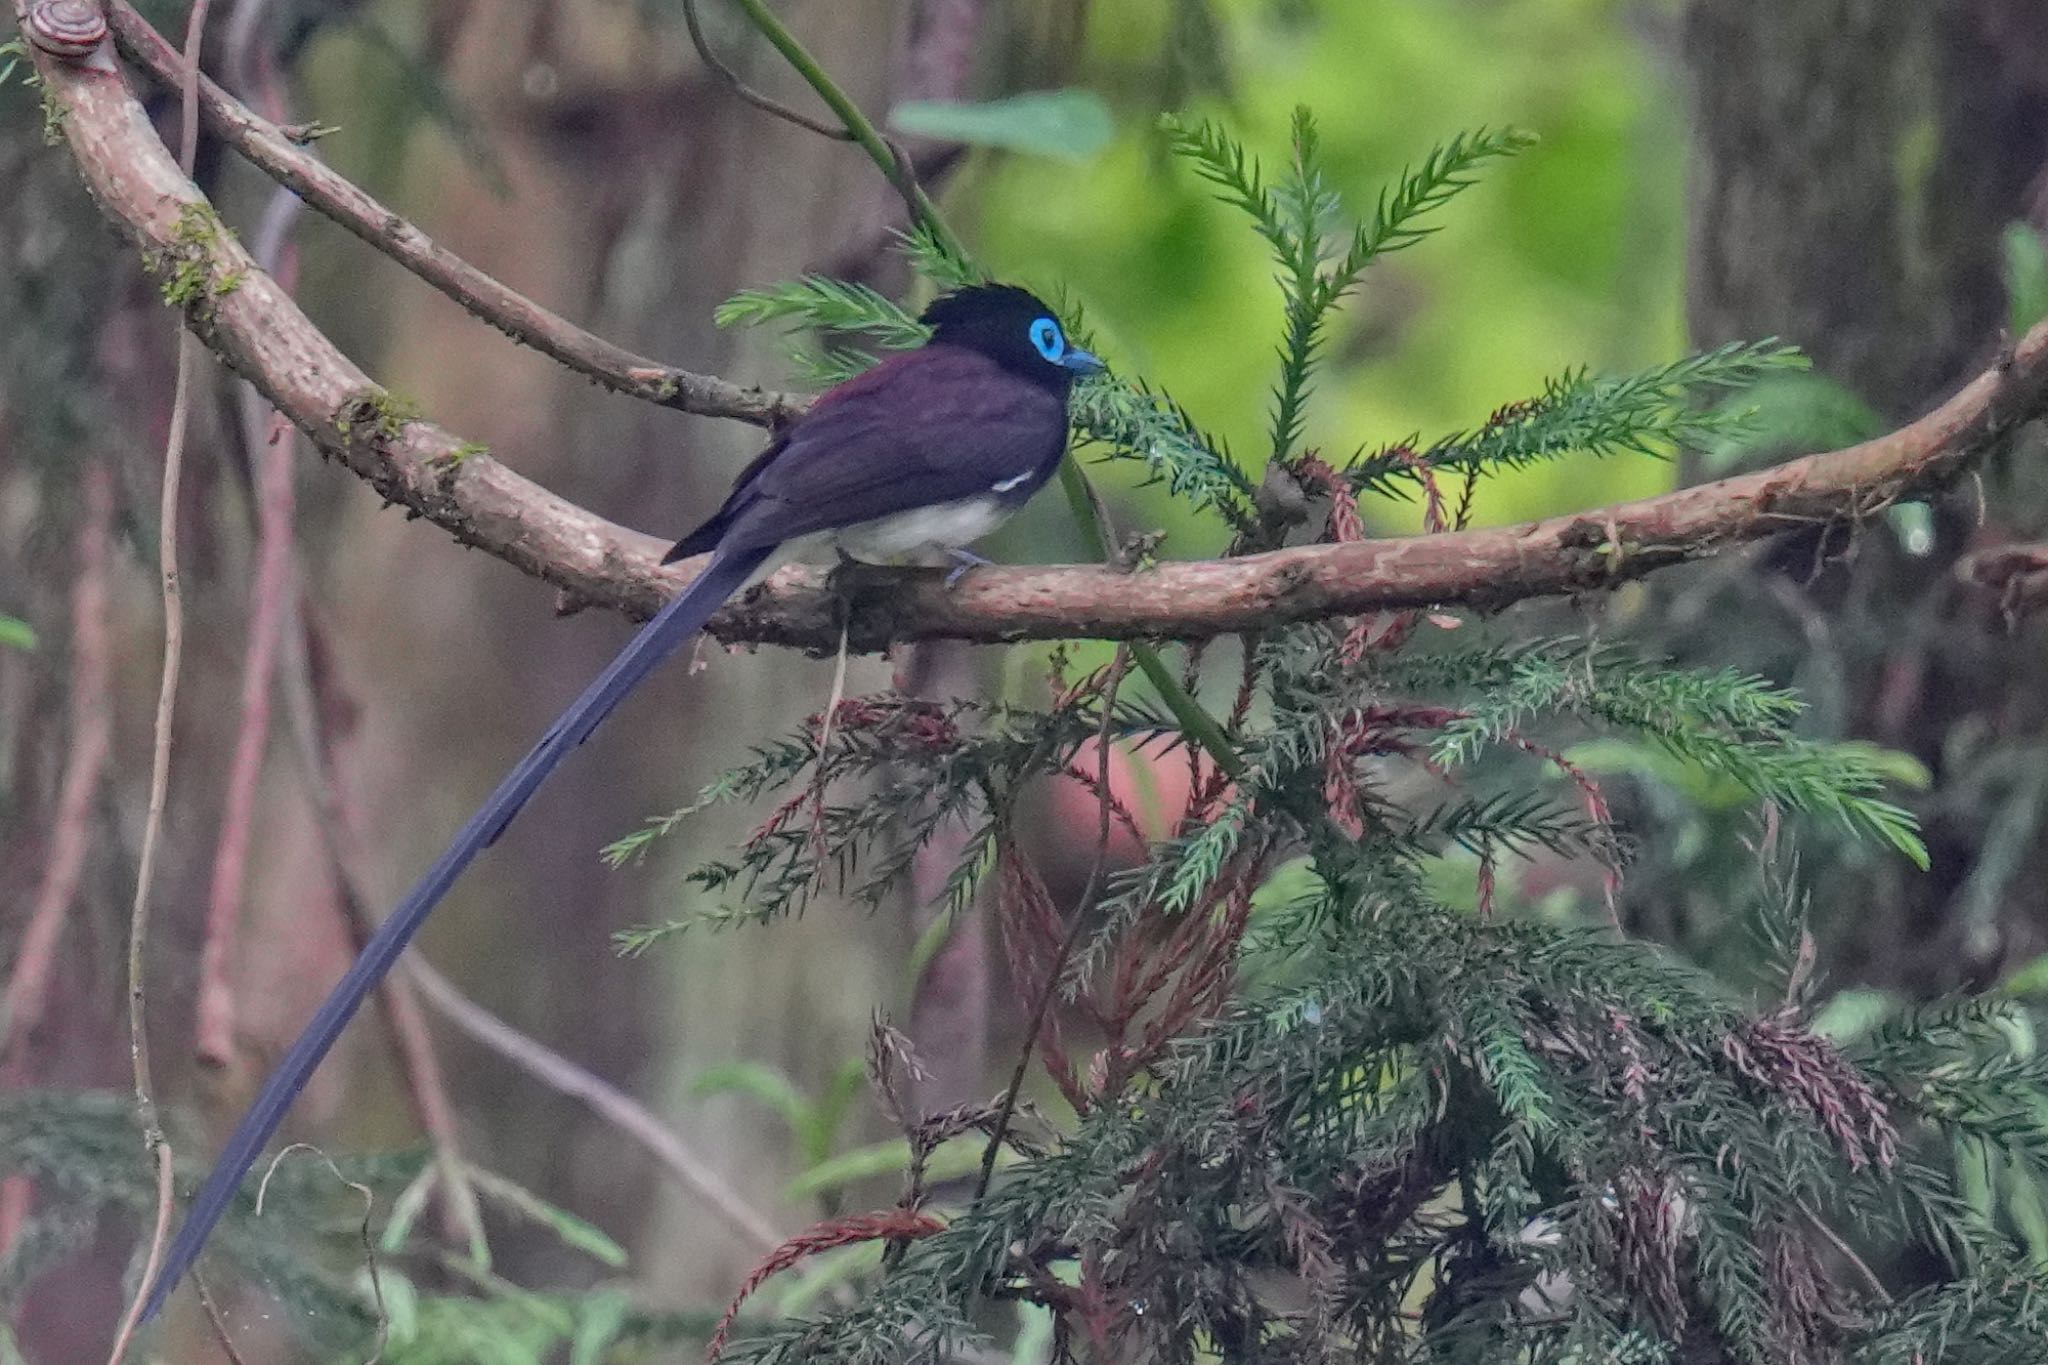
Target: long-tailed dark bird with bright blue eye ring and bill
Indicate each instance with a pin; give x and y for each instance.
(906, 464)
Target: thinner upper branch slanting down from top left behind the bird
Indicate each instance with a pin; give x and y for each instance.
(505, 308)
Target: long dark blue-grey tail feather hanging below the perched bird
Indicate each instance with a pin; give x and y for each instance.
(660, 637)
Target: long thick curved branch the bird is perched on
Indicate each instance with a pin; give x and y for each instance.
(261, 333)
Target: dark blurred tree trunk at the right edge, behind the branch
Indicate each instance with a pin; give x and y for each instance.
(1854, 167)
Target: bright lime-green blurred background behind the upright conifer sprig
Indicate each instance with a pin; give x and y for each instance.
(1570, 255)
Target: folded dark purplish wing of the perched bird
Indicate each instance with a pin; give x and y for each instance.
(927, 429)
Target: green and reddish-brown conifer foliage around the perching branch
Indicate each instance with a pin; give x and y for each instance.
(1316, 1110)
